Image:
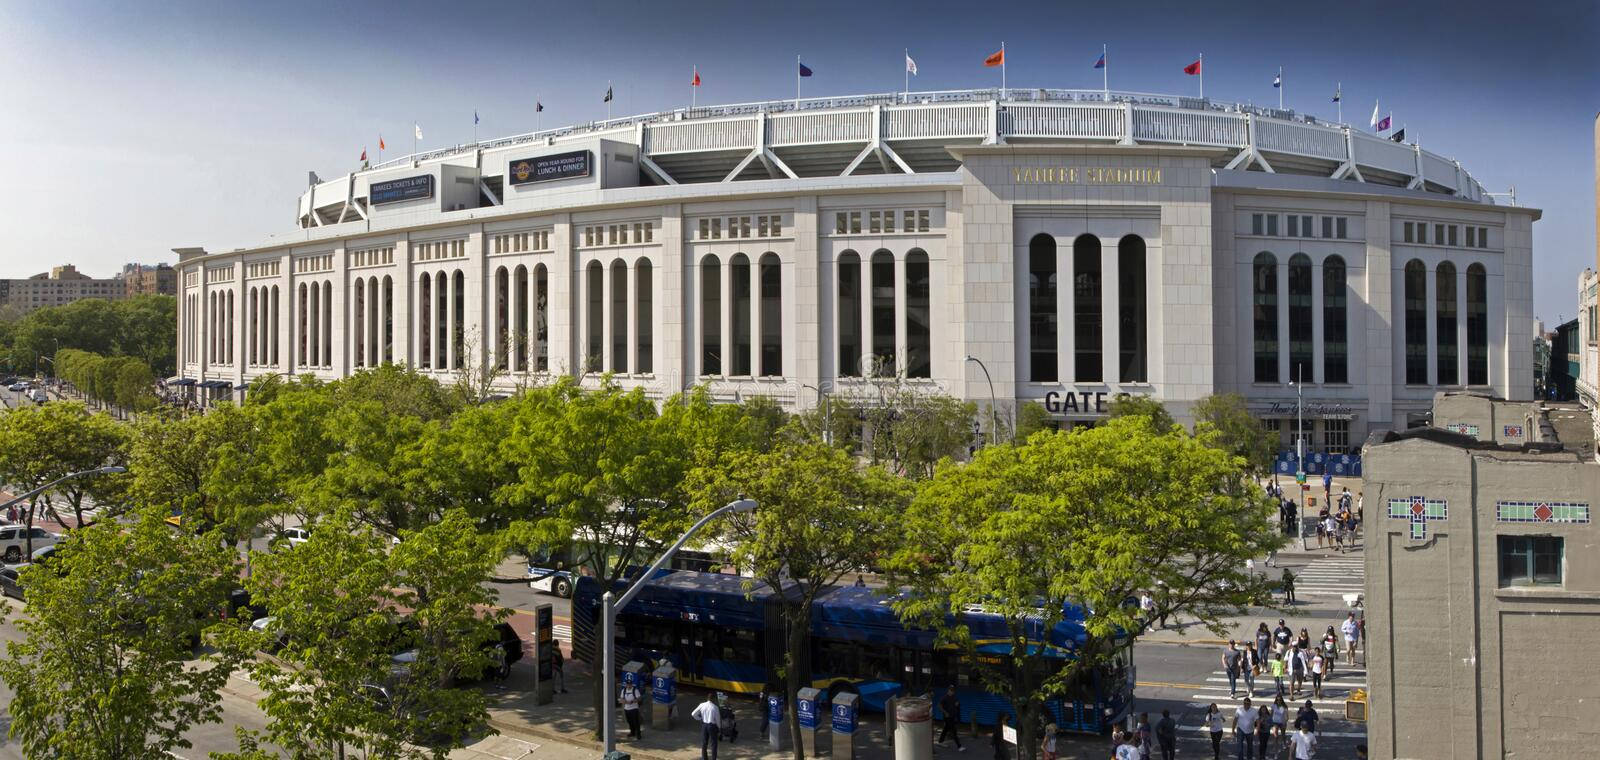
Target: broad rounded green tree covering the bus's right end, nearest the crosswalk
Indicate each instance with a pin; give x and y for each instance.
(1084, 521)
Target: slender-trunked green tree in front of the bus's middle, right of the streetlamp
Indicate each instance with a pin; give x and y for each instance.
(820, 518)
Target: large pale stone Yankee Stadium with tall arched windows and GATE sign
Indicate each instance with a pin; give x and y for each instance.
(1033, 246)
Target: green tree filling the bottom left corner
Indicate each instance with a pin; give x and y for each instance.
(103, 671)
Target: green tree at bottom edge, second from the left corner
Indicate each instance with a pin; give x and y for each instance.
(343, 607)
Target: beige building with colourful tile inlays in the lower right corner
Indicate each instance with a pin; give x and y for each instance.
(1482, 585)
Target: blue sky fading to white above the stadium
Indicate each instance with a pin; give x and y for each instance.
(132, 129)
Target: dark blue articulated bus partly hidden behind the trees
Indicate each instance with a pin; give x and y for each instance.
(722, 638)
